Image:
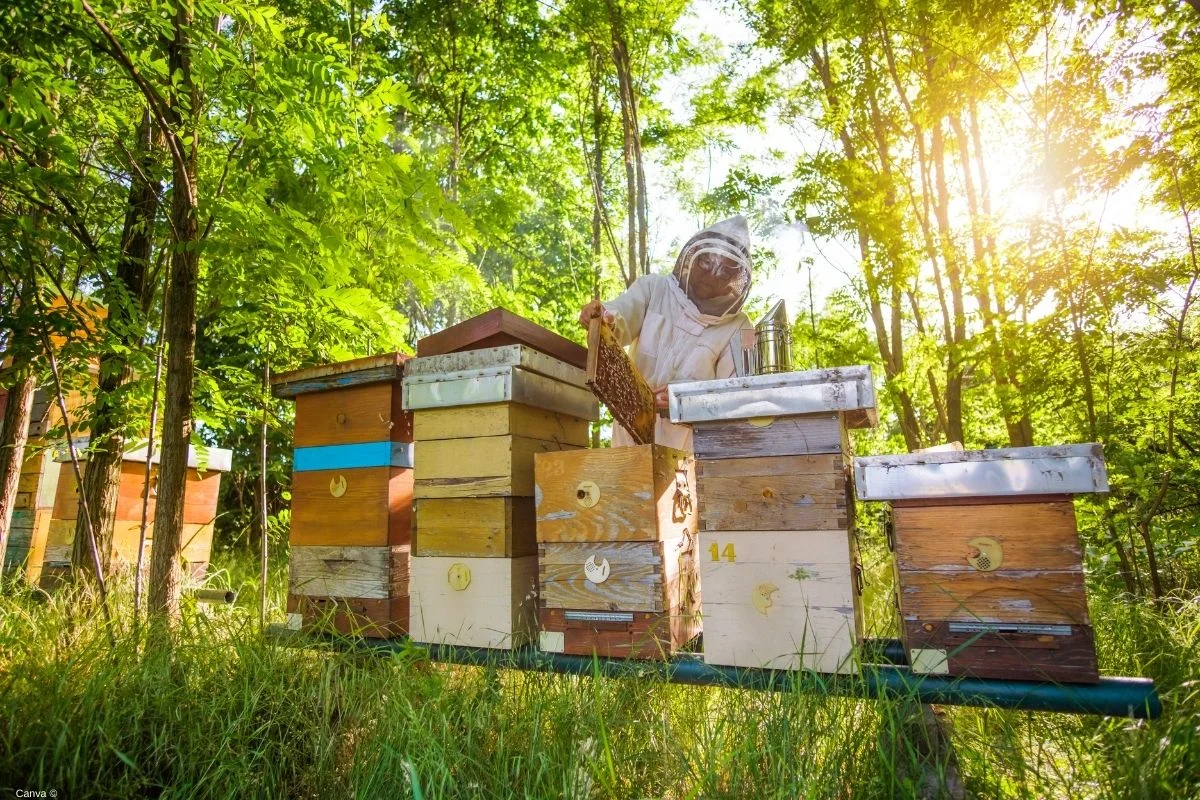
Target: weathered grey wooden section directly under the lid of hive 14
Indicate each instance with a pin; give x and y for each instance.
(782, 436)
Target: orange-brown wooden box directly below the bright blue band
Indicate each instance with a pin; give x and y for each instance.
(374, 509)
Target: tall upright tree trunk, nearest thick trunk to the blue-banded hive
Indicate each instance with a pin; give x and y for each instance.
(166, 576)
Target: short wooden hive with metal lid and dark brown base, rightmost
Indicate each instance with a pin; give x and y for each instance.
(988, 560)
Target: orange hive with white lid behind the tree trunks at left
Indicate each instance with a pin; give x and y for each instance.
(201, 495)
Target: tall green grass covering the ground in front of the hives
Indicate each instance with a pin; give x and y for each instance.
(229, 715)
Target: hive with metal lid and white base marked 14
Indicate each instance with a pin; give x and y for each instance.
(777, 549)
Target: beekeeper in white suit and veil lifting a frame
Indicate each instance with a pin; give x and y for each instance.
(687, 326)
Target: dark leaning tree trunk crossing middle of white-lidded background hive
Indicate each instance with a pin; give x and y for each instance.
(125, 299)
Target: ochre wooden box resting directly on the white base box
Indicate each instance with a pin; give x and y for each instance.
(476, 527)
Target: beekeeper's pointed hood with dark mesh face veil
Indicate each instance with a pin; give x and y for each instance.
(713, 268)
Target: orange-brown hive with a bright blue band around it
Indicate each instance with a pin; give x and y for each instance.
(352, 495)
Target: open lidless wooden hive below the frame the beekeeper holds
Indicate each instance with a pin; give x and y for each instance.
(617, 551)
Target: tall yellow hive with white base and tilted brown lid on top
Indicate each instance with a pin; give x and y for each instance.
(481, 416)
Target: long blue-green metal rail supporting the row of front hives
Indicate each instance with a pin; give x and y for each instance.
(1125, 697)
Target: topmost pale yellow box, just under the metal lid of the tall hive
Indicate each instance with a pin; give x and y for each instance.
(500, 420)
